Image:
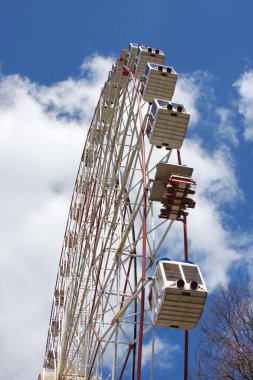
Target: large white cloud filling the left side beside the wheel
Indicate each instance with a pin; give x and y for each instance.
(42, 136)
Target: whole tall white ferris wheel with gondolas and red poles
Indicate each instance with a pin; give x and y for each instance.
(112, 288)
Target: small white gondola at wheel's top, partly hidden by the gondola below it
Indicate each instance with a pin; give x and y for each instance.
(144, 55)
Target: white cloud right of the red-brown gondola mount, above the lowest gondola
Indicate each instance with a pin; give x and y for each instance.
(211, 242)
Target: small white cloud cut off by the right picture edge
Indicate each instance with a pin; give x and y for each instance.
(244, 87)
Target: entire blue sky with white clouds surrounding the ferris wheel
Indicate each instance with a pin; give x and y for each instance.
(42, 47)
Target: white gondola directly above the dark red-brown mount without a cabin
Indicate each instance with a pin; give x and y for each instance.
(167, 124)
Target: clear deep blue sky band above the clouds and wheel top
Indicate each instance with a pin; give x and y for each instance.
(47, 40)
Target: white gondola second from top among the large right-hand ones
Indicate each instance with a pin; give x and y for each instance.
(159, 82)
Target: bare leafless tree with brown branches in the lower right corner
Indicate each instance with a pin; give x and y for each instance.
(225, 348)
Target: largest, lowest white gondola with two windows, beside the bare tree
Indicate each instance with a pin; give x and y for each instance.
(177, 295)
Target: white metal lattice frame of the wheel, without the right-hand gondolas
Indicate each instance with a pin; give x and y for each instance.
(112, 237)
